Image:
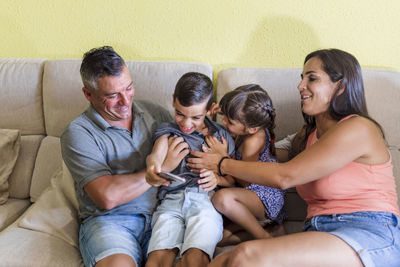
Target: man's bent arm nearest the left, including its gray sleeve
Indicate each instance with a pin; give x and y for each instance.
(91, 171)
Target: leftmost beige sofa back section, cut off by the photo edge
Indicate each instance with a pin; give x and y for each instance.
(21, 108)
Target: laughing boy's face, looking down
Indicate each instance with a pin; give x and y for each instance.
(190, 118)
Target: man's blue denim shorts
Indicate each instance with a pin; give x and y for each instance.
(103, 236)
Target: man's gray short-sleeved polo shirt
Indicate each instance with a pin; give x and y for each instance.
(91, 148)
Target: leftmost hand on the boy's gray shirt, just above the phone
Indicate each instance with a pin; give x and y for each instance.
(177, 151)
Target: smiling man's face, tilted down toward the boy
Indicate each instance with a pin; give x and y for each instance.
(113, 98)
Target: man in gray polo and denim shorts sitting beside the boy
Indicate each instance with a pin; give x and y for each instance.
(105, 149)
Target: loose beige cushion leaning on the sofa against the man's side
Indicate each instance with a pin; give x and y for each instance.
(56, 210)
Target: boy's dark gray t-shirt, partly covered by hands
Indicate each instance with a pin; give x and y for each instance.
(195, 141)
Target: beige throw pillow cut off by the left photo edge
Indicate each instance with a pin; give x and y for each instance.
(9, 149)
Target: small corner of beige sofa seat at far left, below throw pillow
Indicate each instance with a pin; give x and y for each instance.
(11, 210)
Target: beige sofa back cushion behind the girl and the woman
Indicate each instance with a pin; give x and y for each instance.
(382, 91)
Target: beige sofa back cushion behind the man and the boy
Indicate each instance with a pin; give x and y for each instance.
(63, 99)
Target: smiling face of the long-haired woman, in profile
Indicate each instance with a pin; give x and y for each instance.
(316, 88)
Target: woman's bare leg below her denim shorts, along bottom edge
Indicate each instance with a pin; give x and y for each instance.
(300, 249)
